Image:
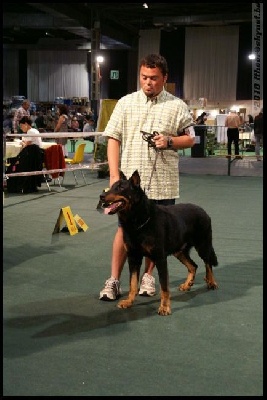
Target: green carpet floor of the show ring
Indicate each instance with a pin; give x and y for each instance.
(60, 340)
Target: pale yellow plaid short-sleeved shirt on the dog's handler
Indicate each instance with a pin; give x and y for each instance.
(165, 114)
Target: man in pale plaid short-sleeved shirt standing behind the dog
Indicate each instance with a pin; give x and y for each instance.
(150, 109)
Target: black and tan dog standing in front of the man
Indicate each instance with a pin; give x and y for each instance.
(158, 231)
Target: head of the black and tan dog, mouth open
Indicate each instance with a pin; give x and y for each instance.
(122, 195)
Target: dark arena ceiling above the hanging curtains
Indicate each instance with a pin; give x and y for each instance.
(62, 25)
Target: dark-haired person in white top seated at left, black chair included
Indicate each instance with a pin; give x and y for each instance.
(30, 158)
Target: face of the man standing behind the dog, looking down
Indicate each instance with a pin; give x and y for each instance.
(151, 81)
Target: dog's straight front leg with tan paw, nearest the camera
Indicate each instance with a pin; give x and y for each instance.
(165, 298)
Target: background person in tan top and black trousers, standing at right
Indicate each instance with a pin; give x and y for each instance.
(232, 122)
